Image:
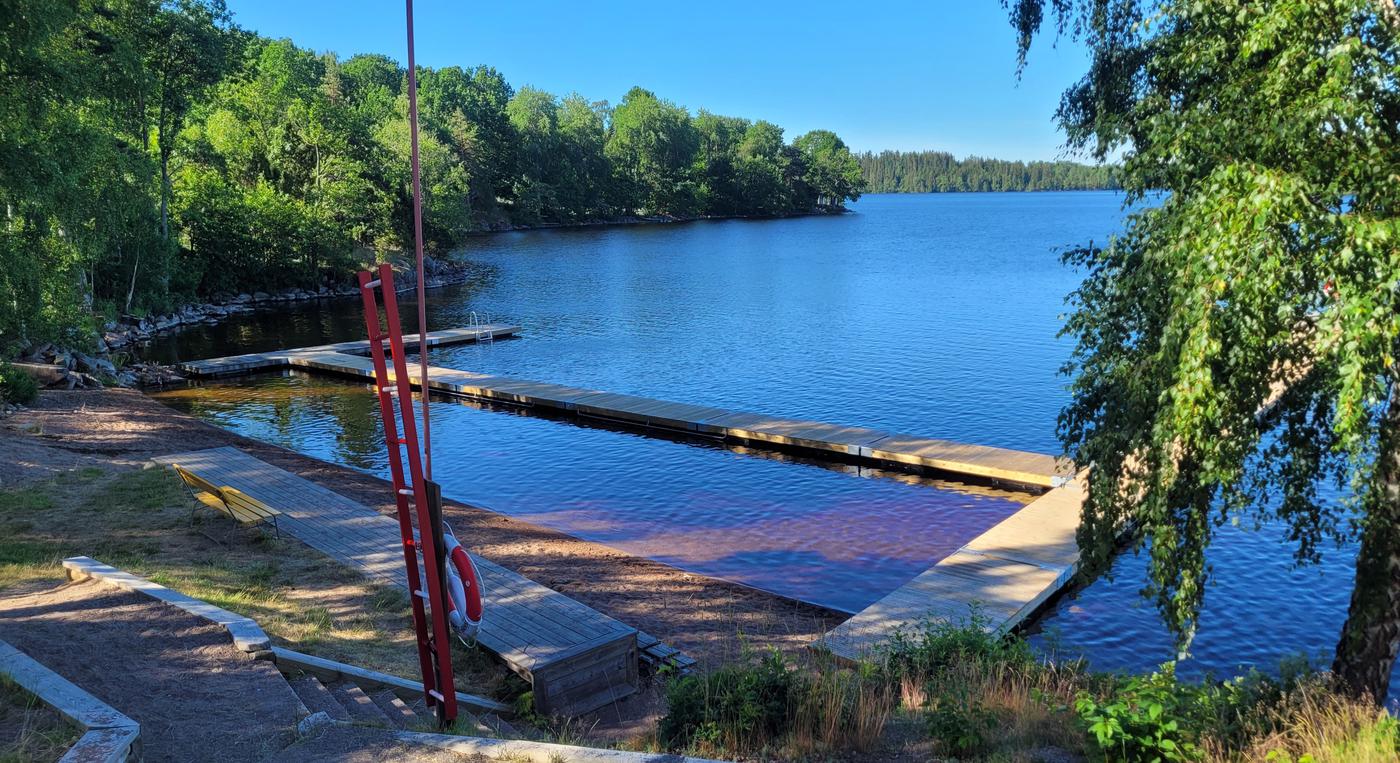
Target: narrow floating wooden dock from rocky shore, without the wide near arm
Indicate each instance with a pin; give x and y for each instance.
(1035, 471)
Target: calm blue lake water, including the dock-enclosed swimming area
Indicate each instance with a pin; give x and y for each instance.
(933, 316)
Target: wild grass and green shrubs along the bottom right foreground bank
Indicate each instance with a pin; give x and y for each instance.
(960, 692)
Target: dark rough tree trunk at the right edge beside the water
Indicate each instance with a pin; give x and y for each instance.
(1371, 636)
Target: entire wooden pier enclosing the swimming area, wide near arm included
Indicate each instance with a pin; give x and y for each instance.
(1006, 573)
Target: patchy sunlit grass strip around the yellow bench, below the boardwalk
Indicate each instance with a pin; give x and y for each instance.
(146, 523)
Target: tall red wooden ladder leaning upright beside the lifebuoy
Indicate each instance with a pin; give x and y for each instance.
(430, 624)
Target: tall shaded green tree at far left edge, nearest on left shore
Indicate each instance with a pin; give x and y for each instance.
(76, 181)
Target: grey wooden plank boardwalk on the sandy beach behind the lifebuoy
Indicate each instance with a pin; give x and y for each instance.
(576, 659)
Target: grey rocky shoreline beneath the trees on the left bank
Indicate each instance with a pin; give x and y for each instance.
(57, 367)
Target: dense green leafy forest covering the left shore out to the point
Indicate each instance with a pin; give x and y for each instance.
(152, 153)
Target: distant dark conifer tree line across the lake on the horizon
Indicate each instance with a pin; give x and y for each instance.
(939, 171)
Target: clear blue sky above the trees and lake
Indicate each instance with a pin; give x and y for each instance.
(933, 75)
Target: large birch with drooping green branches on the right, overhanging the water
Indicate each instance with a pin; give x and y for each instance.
(1273, 128)
